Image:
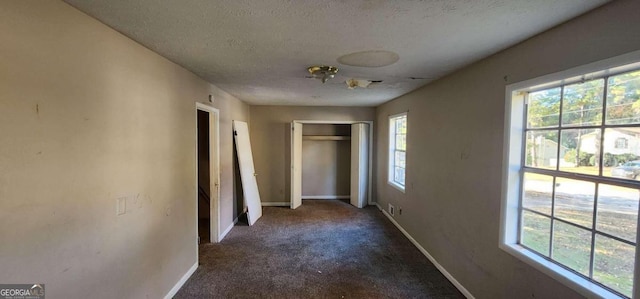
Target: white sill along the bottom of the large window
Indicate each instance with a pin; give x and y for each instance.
(564, 276)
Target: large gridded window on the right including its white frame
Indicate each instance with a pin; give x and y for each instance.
(572, 189)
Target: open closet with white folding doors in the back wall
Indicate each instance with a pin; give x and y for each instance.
(347, 142)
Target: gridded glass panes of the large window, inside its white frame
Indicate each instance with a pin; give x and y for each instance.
(587, 226)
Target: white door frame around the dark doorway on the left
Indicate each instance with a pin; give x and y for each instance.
(214, 170)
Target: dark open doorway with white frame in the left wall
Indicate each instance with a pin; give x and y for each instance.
(207, 174)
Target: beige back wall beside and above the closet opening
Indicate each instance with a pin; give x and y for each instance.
(270, 132)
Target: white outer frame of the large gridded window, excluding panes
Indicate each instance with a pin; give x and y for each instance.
(512, 168)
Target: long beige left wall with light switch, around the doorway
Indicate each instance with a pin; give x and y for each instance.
(87, 116)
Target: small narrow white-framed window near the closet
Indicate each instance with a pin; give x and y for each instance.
(397, 150)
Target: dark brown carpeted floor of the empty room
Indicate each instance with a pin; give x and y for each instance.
(324, 249)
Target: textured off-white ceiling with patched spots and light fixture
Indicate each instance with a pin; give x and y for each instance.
(259, 50)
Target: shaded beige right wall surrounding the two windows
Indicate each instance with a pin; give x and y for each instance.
(455, 150)
